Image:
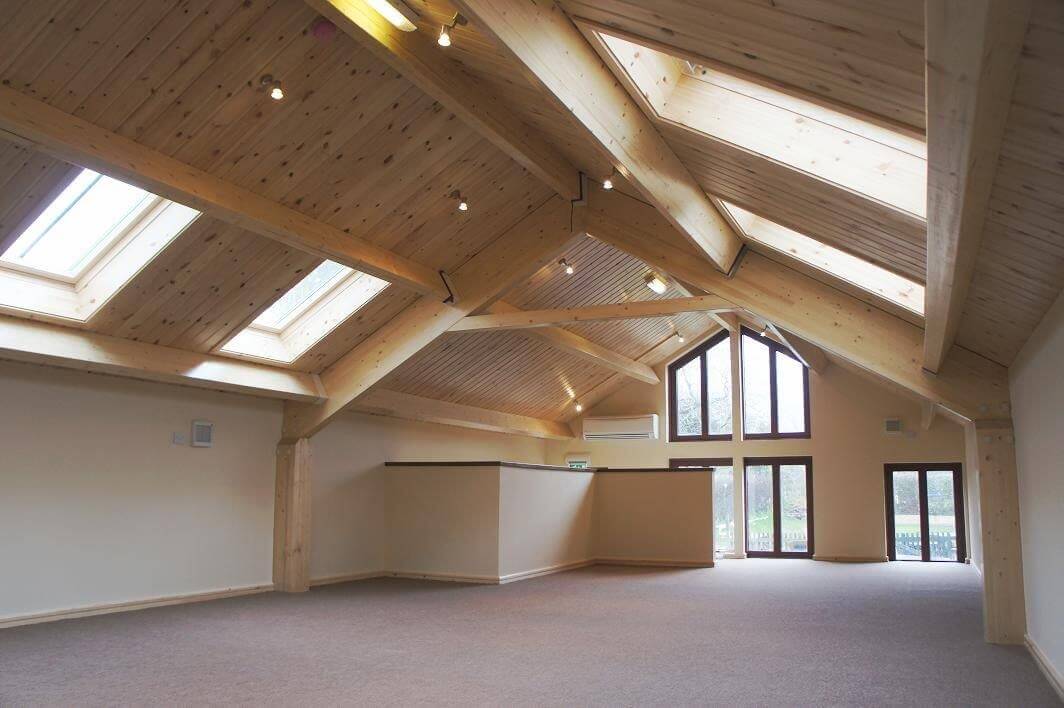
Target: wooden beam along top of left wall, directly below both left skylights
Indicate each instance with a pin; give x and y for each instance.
(41, 343)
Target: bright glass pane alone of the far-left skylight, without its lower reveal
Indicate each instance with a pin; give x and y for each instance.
(88, 217)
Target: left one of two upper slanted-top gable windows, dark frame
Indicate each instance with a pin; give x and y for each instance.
(701, 399)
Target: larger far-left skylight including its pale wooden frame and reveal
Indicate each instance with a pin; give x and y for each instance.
(85, 246)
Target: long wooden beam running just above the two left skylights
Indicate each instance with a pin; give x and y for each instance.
(71, 139)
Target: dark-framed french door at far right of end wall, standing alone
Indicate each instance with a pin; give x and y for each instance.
(925, 513)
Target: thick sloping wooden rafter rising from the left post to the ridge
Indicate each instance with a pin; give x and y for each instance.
(516, 256)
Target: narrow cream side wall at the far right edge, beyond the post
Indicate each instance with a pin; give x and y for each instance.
(1038, 415)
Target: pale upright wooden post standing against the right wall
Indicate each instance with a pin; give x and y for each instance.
(995, 455)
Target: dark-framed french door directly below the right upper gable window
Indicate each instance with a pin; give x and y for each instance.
(779, 507)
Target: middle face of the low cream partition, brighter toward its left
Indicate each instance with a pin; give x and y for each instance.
(545, 519)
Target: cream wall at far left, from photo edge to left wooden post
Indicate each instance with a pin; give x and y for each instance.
(98, 507)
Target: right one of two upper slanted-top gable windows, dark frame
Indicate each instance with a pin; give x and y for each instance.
(775, 390)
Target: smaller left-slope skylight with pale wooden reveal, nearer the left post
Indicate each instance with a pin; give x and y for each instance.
(303, 317)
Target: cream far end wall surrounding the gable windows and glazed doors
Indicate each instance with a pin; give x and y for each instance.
(847, 448)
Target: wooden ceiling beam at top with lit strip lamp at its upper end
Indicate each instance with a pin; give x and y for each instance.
(417, 56)
